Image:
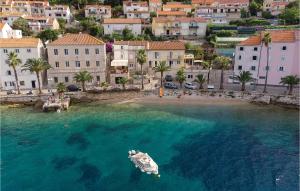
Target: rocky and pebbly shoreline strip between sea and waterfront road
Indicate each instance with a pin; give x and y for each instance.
(285, 101)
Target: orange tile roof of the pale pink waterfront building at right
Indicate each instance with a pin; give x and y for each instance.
(276, 36)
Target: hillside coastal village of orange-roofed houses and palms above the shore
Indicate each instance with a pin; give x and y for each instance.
(166, 48)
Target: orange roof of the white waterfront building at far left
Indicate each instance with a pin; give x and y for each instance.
(19, 42)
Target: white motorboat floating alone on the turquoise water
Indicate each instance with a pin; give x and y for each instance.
(144, 162)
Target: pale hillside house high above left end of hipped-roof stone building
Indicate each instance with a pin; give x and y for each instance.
(58, 12)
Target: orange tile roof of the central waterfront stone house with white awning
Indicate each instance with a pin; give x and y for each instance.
(166, 45)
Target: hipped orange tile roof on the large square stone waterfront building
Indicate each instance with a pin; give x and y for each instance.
(76, 39)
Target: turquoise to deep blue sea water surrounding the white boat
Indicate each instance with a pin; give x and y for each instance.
(197, 148)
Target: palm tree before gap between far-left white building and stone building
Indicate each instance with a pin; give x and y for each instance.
(36, 65)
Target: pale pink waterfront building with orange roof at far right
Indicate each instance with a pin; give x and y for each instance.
(251, 55)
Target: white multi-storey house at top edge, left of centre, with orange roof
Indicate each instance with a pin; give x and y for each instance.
(137, 9)
